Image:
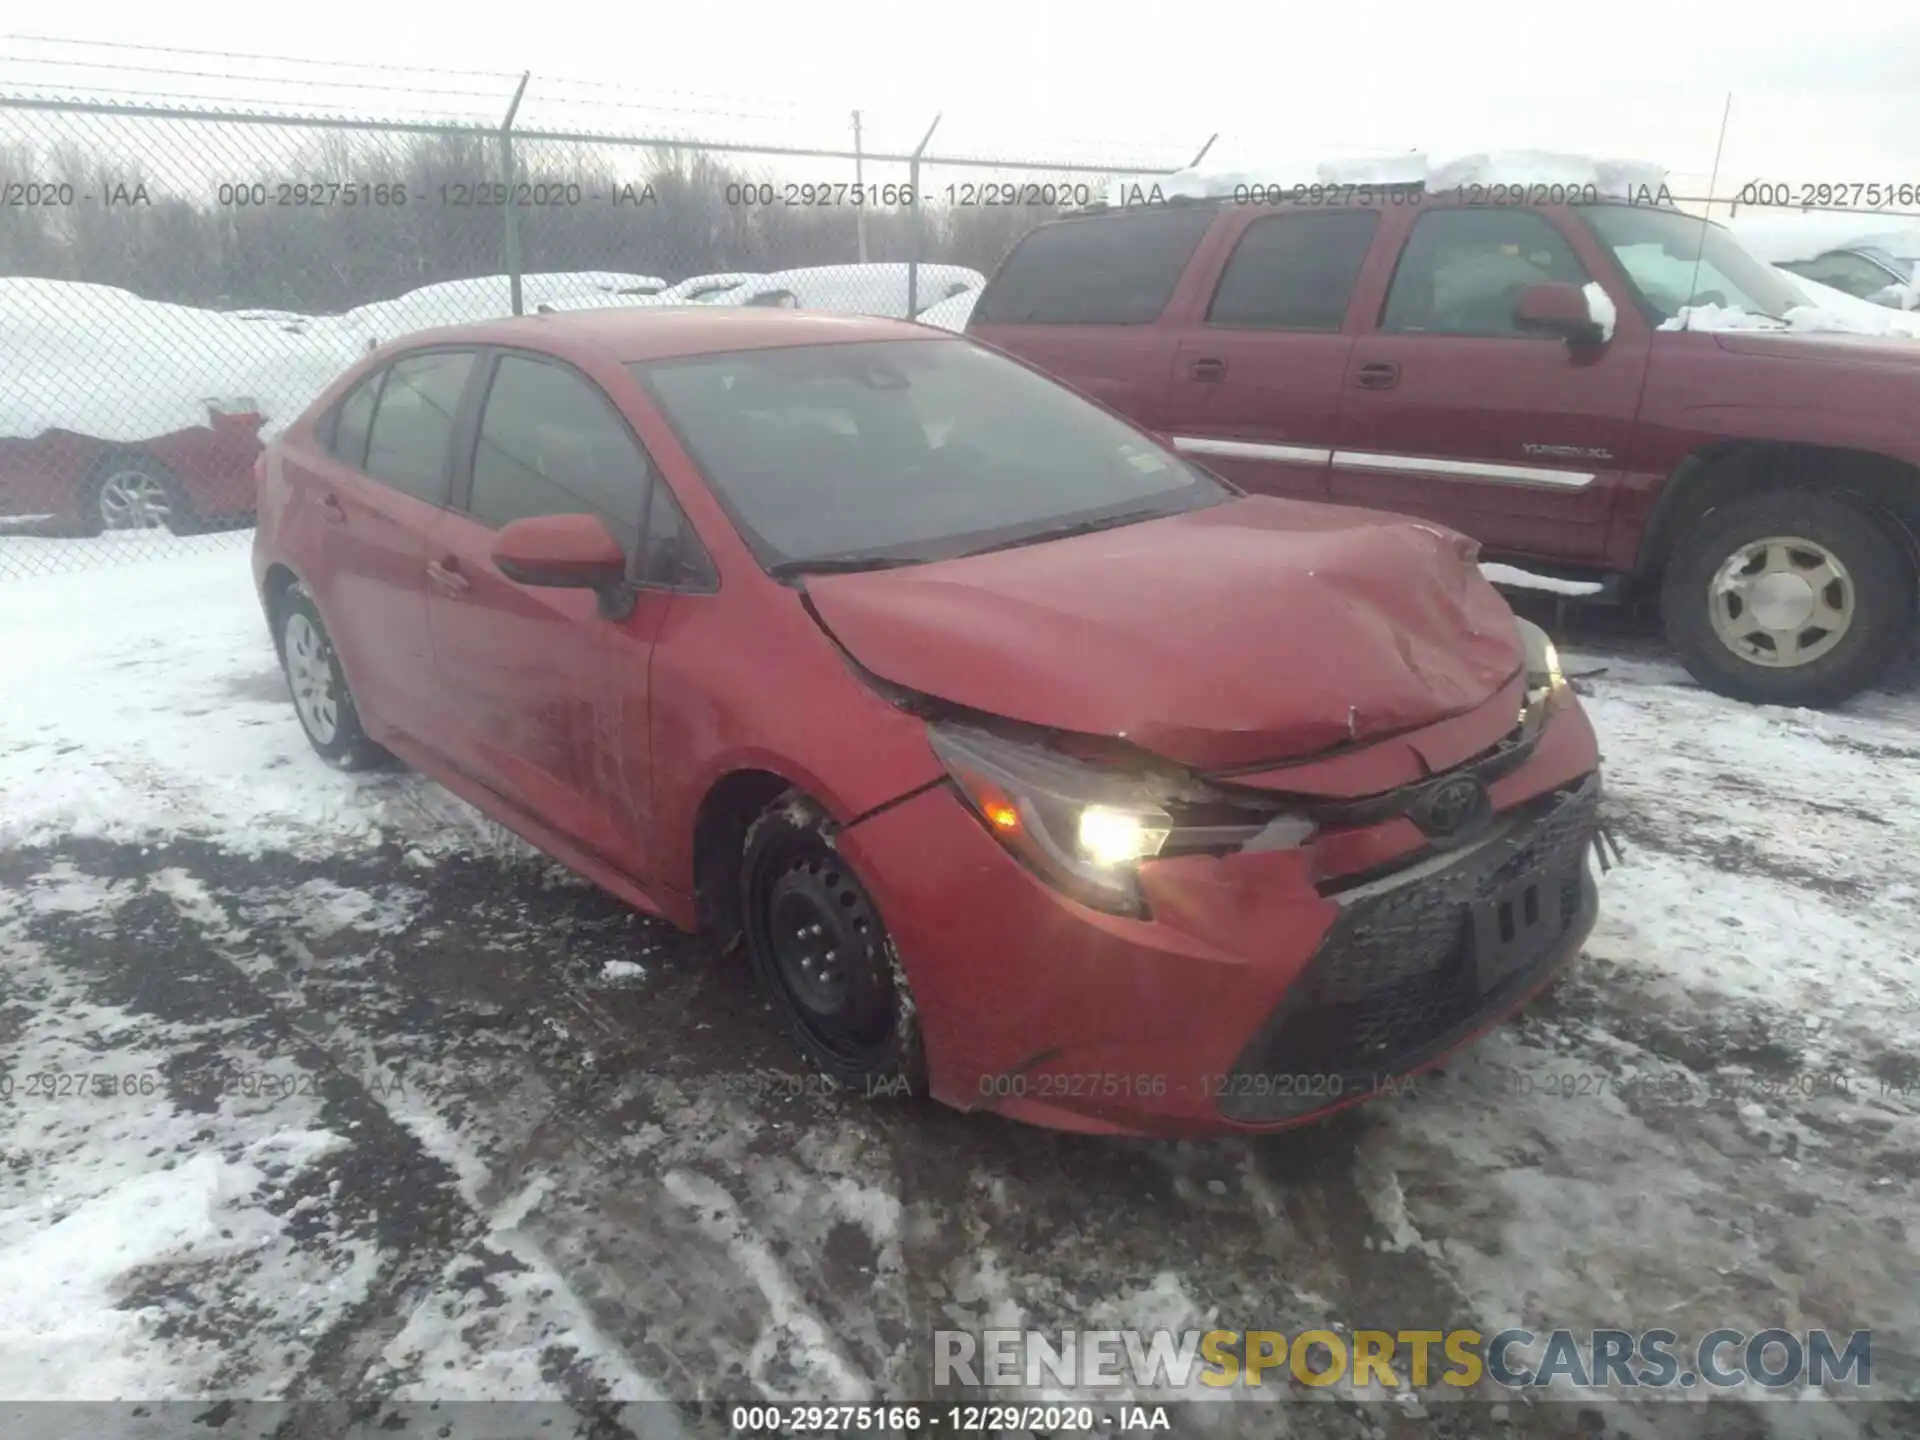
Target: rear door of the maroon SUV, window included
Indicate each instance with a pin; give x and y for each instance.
(1257, 381)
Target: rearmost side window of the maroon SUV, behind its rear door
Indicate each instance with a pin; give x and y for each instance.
(1116, 270)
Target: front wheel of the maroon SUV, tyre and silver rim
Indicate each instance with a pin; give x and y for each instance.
(1790, 598)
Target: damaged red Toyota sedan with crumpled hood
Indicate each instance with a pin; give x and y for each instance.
(1036, 765)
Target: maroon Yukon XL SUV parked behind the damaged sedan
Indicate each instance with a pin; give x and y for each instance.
(1510, 372)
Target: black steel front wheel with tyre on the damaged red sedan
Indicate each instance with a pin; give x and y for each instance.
(825, 957)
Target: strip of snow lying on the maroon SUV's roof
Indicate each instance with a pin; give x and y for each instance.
(1608, 178)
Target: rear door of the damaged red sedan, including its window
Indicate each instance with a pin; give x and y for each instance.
(379, 485)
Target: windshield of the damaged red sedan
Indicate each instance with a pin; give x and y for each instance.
(909, 450)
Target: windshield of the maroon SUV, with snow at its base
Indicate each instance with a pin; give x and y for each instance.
(1677, 260)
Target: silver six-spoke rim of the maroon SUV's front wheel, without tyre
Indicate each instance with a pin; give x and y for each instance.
(1783, 602)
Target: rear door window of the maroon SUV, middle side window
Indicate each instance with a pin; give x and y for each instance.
(1295, 272)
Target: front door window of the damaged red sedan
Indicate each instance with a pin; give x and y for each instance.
(554, 444)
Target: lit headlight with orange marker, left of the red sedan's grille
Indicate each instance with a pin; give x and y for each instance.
(1084, 828)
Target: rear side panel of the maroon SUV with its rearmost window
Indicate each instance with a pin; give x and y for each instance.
(1080, 299)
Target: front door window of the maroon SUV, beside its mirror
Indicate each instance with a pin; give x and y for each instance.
(1462, 272)
